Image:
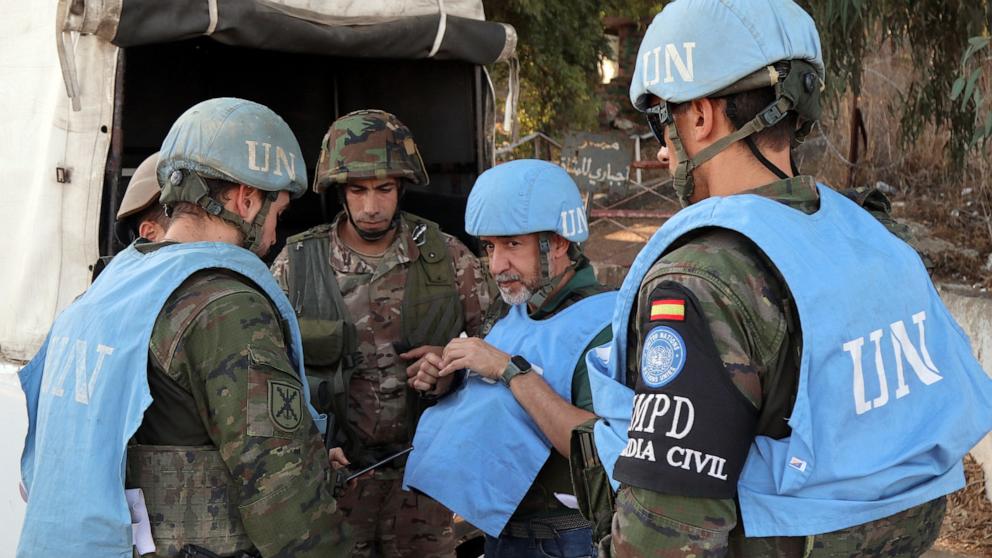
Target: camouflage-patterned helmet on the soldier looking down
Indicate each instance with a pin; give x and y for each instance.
(368, 144)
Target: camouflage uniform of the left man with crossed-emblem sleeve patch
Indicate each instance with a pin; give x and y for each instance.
(215, 346)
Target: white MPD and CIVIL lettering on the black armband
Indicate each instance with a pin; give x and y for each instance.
(678, 415)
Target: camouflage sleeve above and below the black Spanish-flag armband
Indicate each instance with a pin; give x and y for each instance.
(736, 294)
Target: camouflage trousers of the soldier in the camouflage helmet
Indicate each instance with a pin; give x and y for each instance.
(388, 522)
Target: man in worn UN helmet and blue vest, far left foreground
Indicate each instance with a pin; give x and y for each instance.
(214, 451)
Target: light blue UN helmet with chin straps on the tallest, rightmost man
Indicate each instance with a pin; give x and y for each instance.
(714, 48)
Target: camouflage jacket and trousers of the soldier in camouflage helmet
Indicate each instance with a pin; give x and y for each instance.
(403, 523)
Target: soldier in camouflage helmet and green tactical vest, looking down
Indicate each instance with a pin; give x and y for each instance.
(376, 290)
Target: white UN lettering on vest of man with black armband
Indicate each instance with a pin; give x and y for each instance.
(903, 349)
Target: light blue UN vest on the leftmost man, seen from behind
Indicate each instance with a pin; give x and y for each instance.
(87, 390)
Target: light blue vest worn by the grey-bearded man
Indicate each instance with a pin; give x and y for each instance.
(477, 451)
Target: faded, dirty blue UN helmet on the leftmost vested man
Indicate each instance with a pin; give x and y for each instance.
(236, 141)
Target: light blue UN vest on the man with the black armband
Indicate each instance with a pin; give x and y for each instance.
(889, 399)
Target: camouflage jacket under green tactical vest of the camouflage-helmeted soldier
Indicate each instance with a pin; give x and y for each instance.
(374, 297)
